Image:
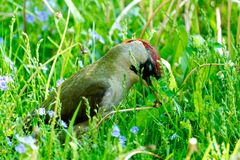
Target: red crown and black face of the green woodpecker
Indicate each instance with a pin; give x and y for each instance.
(150, 67)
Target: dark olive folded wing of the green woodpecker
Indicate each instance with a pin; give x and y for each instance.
(72, 97)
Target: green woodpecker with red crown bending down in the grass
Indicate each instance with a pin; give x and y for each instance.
(106, 82)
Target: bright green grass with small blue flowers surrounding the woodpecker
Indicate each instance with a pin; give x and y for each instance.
(200, 91)
